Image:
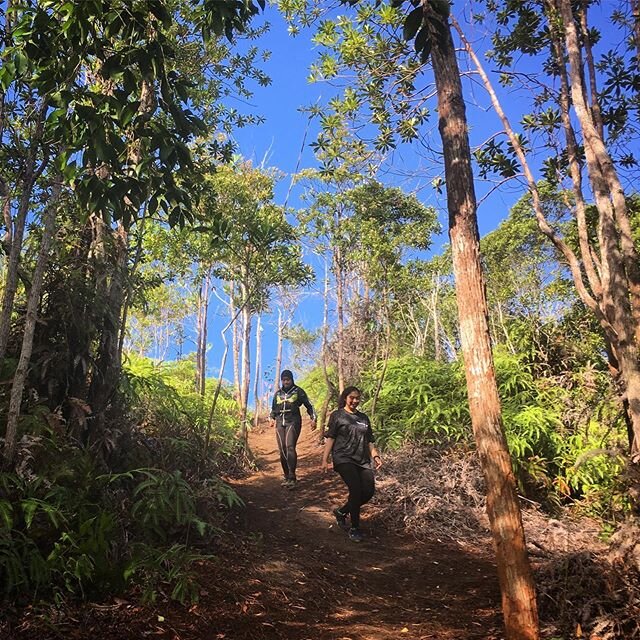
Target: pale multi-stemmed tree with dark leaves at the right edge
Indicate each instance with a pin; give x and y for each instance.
(591, 109)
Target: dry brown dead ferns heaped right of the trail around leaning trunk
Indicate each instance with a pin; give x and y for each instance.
(586, 589)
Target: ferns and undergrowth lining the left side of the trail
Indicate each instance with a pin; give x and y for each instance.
(70, 526)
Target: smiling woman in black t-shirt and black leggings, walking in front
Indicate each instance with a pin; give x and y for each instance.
(350, 442)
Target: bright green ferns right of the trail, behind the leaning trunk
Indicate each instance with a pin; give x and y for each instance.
(557, 456)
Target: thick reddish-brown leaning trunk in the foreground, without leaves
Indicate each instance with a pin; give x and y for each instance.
(516, 582)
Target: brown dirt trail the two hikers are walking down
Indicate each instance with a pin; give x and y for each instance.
(308, 581)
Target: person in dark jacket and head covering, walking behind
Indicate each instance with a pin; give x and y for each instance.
(285, 416)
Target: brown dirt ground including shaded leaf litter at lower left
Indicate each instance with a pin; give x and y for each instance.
(287, 571)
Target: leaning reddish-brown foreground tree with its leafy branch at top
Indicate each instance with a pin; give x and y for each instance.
(385, 74)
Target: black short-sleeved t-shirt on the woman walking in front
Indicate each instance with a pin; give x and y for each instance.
(352, 434)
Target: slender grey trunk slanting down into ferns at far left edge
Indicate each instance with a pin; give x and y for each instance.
(20, 376)
